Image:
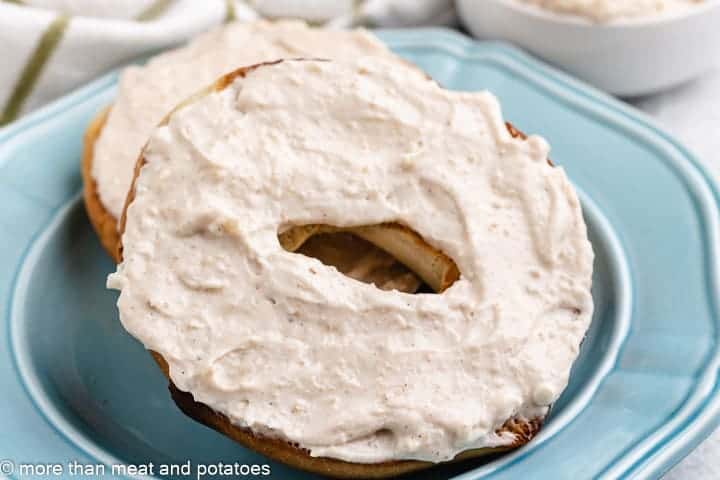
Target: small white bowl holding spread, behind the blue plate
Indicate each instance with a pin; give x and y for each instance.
(626, 58)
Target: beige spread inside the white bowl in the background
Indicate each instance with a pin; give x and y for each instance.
(611, 10)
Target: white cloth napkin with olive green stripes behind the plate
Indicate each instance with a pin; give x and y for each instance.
(49, 47)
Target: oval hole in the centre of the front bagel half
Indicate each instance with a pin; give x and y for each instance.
(362, 260)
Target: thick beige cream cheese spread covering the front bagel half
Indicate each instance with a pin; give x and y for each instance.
(289, 347)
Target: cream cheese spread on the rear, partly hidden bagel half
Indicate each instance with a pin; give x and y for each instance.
(146, 93)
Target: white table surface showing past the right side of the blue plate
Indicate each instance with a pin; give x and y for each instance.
(692, 114)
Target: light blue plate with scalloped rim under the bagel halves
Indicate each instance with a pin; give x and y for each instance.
(643, 393)
